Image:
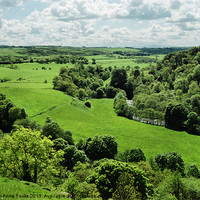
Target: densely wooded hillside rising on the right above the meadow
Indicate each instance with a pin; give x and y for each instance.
(166, 91)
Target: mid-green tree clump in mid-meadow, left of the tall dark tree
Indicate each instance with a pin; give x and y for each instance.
(82, 82)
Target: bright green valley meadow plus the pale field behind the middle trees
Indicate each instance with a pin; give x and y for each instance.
(40, 100)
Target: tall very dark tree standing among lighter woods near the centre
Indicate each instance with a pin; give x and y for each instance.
(119, 78)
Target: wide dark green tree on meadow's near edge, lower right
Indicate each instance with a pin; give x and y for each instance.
(171, 160)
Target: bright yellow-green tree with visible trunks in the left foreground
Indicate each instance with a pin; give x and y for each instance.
(27, 155)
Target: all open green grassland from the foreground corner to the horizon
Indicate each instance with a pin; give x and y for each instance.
(29, 85)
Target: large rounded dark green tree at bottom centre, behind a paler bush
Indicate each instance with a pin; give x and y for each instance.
(106, 178)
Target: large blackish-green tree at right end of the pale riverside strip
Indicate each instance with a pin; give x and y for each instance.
(175, 116)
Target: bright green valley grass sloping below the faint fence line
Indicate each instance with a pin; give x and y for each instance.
(101, 119)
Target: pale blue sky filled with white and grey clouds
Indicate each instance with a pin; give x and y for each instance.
(114, 23)
